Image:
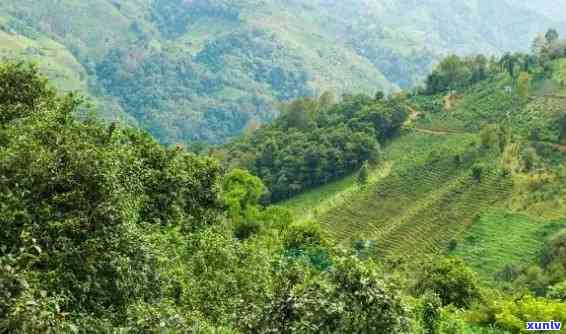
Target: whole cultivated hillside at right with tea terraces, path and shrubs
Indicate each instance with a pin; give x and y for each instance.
(474, 178)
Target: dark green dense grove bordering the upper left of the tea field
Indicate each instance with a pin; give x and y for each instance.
(316, 141)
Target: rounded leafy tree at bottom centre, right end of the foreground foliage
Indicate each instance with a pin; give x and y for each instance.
(350, 297)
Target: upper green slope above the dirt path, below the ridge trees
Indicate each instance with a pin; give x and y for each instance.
(488, 103)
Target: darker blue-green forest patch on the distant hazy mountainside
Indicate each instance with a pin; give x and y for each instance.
(182, 99)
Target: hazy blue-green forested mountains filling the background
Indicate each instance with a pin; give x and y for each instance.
(204, 70)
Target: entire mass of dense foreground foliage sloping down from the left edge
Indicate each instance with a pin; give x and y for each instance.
(104, 230)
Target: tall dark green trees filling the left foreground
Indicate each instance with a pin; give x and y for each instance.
(78, 201)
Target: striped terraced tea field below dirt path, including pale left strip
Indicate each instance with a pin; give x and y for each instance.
(421, 197)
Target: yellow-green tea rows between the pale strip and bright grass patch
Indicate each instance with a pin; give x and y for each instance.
(418, 210)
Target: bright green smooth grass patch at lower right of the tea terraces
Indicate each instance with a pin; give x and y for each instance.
(498, 238)
